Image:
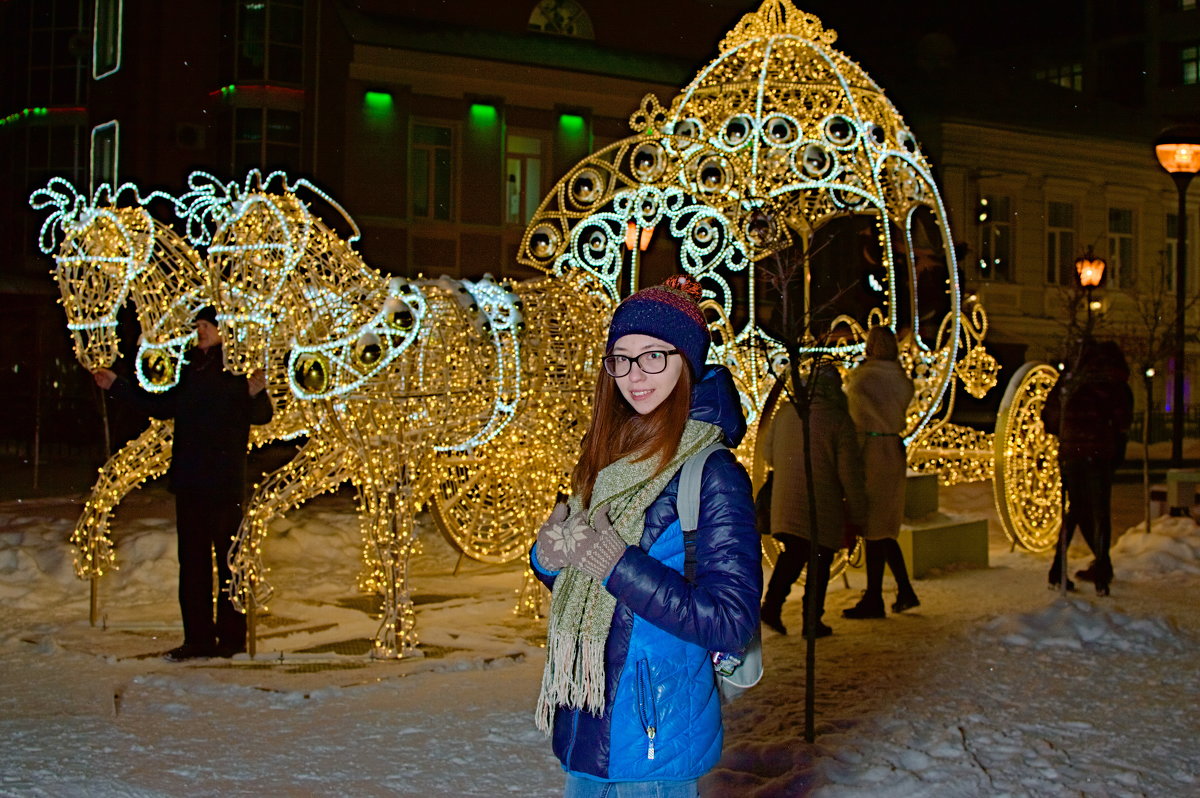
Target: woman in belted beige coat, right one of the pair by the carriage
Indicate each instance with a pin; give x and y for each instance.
(879, 393)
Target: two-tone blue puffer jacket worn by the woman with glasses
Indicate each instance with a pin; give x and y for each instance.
(657, 661)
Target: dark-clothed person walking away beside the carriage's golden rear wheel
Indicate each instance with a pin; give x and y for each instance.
(1090, 411)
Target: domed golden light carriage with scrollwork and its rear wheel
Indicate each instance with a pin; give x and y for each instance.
(783, 148)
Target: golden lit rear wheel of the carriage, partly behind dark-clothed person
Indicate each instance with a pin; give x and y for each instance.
(1028, 487)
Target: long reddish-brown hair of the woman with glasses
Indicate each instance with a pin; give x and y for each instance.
(617, 431)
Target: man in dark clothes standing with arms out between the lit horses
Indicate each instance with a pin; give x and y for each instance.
(214, 411)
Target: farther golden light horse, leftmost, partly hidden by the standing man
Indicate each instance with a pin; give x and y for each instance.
(113, 255)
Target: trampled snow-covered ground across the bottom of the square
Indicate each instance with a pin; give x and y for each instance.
(994, 687)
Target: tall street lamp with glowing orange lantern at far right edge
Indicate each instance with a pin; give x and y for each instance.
(1179, 152)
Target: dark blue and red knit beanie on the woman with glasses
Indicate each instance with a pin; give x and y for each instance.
(670, 313)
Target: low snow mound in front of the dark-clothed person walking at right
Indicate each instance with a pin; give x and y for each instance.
(1079, 625)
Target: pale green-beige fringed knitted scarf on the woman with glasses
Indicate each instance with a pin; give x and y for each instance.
(581, 609)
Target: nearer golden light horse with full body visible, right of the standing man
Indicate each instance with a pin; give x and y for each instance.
(460, 395)
